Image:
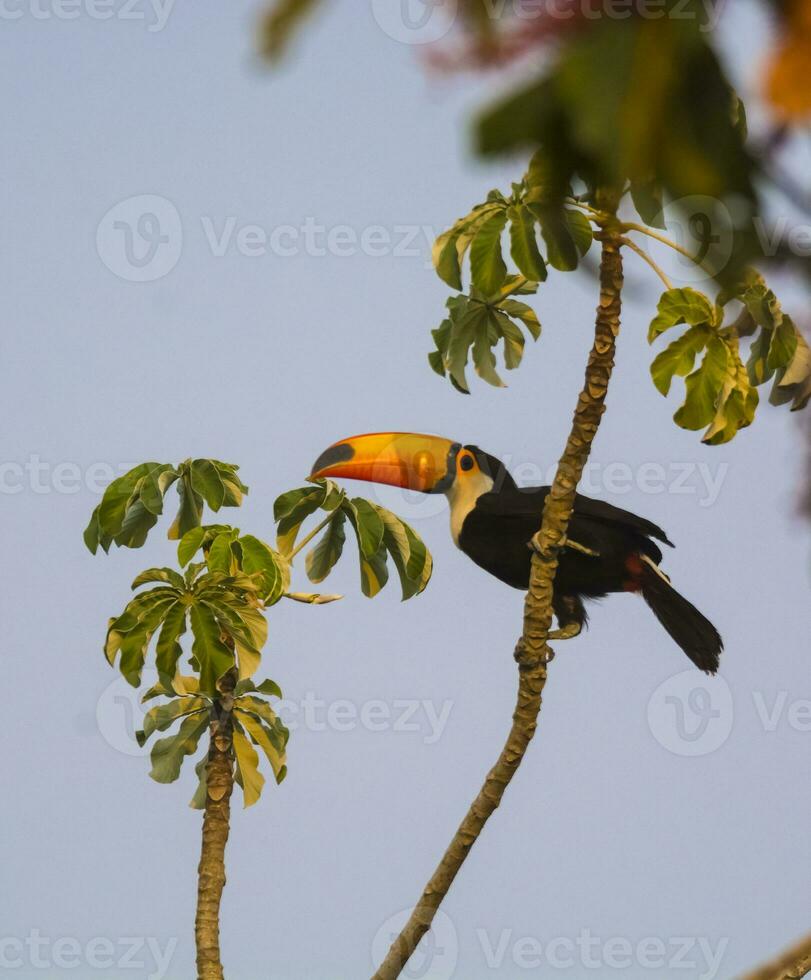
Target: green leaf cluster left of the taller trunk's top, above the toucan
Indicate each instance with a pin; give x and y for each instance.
(542, 233)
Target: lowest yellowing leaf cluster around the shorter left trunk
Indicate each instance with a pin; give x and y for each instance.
(254, 721)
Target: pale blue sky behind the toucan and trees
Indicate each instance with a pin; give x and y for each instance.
(264, 360)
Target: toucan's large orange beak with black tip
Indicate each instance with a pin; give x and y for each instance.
(400, 459)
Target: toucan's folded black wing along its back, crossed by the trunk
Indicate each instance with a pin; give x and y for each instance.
(528, 502)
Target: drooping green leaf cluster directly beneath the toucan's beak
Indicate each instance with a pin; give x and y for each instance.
(380, 534)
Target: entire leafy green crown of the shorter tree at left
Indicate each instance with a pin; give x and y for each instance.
(222, 598)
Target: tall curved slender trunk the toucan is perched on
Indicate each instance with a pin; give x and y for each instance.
(532, 652)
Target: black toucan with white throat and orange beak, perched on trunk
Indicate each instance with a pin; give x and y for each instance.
(493, 521)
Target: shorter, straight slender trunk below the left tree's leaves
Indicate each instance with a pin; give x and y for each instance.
(211, 870)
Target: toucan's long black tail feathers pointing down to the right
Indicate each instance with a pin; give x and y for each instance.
(693, 632)
